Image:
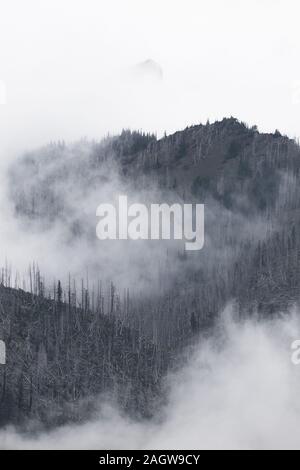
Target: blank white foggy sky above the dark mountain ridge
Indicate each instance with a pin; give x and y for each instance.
(67, 66)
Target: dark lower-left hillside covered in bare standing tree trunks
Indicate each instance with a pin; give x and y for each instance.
(61, 357)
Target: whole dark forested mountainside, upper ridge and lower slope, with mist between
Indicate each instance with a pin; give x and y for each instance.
(80, 342)
